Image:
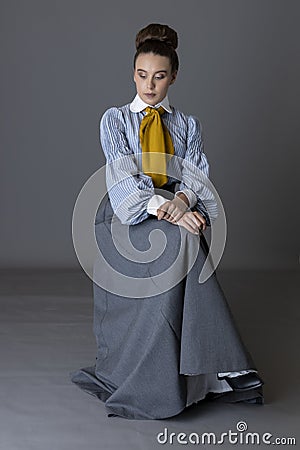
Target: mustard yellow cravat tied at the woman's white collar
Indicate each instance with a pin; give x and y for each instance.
(157, 146)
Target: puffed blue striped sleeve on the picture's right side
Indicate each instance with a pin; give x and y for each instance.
(194, 165)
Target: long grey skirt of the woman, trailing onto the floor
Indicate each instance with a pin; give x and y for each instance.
(149, 350)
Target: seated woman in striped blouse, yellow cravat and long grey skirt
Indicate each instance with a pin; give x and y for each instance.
(161, 346)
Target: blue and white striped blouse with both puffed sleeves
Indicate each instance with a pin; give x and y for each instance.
(129, 189)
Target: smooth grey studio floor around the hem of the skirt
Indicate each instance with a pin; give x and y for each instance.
(46, 332)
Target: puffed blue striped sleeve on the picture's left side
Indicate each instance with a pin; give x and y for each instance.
(129, 189)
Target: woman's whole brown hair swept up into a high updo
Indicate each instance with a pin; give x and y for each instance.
(160, 40)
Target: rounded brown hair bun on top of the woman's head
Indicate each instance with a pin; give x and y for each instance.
(157, 32)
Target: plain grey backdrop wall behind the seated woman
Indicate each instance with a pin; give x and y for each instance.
(64, 62)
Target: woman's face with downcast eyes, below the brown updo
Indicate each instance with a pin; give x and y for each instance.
(153, 76)
